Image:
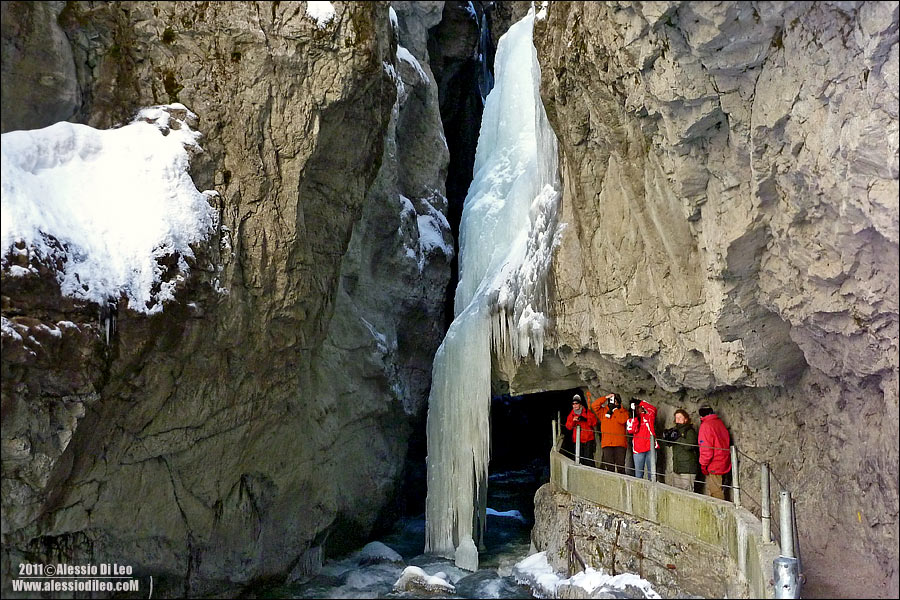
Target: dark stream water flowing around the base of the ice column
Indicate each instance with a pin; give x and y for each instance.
(506, 541)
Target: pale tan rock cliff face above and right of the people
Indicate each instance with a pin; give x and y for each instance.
(731, 194)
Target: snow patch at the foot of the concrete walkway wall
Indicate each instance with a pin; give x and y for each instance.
(536, 572)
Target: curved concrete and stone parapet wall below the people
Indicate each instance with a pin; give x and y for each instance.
(682, 541)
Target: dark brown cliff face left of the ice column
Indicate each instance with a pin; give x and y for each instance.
(262, 418)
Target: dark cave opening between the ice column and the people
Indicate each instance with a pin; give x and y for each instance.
(520, 451)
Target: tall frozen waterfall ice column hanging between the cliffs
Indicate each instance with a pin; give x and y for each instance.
(508, 230)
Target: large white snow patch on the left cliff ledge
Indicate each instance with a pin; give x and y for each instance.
(108, 202)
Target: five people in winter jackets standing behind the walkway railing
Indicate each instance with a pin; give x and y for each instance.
(707, 451)
